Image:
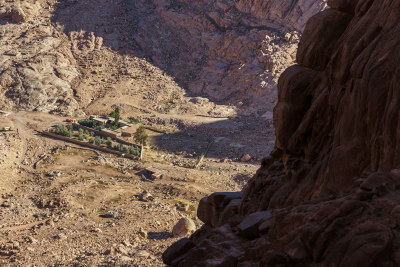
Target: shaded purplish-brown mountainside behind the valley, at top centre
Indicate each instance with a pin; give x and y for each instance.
(227, 51)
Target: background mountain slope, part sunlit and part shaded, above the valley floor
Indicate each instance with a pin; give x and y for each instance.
(231, 52)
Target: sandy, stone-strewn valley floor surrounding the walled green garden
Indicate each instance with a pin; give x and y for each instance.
(54, 194)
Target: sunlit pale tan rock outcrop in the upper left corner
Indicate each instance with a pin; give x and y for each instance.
(36, 64)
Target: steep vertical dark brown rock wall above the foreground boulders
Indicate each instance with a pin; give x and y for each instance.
(340, 108)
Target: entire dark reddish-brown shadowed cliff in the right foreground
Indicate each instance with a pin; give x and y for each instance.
(328, 195)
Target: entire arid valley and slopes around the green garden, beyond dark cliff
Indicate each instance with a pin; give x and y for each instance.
(200, 76)
